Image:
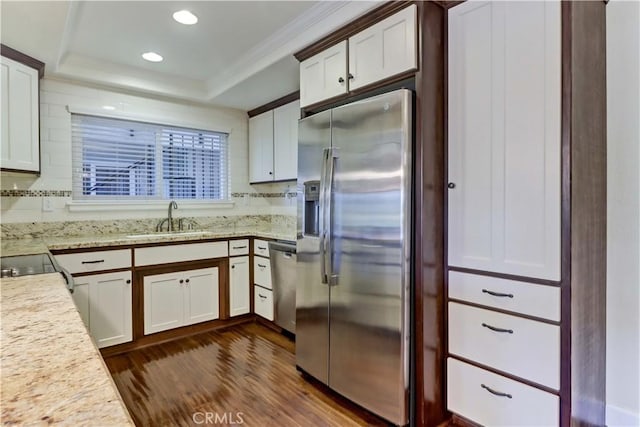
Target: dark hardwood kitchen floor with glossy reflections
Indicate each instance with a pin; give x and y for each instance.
(241, 375)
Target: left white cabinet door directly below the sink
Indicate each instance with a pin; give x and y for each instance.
(163, 302)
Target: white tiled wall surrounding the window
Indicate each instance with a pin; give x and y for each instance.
(55, 125)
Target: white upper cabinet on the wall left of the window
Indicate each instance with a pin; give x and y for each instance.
(19, 109)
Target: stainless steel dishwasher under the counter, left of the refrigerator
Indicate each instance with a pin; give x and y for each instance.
(283, 279)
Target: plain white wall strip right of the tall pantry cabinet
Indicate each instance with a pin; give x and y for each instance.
(623, 213)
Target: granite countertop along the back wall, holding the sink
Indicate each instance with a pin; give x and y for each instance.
(11, 247)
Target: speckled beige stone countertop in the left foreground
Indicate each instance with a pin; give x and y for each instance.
(51, 370)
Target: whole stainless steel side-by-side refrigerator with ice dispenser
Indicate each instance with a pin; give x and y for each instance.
(354, 247)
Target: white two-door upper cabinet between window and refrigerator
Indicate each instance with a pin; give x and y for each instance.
(273, 144)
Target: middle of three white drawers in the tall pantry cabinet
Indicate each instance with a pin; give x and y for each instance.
(531, 349)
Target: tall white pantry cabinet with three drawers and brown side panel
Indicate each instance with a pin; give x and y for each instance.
(526, 212)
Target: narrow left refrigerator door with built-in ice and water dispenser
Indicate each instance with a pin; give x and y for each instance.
(312, 295)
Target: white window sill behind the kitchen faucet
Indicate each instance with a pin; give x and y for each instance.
(146, 205)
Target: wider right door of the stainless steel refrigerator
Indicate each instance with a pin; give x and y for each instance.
(369, 340)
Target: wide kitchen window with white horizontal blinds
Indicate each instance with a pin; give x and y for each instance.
(120, 159)
